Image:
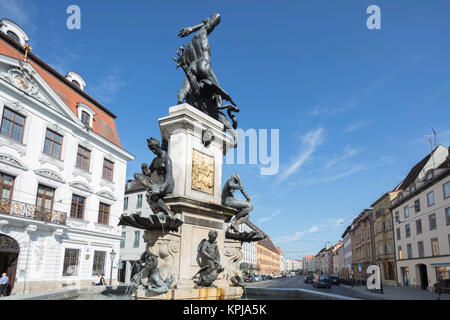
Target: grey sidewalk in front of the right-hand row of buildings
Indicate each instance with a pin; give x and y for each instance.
(399, 293)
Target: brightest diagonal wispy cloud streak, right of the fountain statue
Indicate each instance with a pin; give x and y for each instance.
(310, 142)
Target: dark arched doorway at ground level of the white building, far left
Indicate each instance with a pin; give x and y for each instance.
(9, 254)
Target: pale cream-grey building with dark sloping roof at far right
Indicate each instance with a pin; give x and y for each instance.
(422, 227)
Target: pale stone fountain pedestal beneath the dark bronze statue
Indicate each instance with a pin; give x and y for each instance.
(196, 200)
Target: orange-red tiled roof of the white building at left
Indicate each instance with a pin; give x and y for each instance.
(103, 122)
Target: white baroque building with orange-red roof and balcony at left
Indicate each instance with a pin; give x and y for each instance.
(62, 173)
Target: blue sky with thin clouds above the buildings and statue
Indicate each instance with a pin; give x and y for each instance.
(353, 105)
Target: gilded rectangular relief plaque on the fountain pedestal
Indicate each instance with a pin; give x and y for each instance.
(202, 172)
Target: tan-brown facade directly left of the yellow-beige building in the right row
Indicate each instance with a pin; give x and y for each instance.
(363, 244)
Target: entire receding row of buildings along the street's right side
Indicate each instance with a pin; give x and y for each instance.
(406, 232)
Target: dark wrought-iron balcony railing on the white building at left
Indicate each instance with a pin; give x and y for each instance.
(31, 211)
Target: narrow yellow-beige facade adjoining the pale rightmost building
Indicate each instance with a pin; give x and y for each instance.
(384, 238)
